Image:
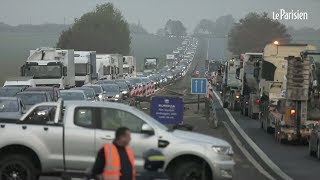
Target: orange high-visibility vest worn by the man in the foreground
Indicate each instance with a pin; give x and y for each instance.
(112, 162)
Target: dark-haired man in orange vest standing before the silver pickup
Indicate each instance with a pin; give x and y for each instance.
(115, 161)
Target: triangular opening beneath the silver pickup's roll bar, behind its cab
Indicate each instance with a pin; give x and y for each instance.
(42, 115)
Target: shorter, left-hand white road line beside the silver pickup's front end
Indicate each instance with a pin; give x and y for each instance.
(247, 154)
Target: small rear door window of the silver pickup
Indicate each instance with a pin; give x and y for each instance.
(84, 117)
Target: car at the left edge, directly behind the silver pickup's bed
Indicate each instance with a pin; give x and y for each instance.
(11, 108)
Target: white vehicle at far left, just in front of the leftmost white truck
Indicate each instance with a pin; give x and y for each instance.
(22, 82)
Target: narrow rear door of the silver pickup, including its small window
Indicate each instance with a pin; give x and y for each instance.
(80, 139)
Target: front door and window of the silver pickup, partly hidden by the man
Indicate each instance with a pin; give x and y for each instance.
(111, 119)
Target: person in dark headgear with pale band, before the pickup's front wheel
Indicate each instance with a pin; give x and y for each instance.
(154, 162)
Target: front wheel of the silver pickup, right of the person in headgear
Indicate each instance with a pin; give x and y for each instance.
(188, 171)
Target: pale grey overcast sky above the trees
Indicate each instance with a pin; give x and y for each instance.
(153, 13)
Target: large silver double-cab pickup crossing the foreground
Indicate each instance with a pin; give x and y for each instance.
(63, 138)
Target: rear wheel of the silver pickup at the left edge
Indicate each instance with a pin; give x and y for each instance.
(15, 167)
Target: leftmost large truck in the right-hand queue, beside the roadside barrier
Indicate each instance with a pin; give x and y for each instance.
(231, 84)
